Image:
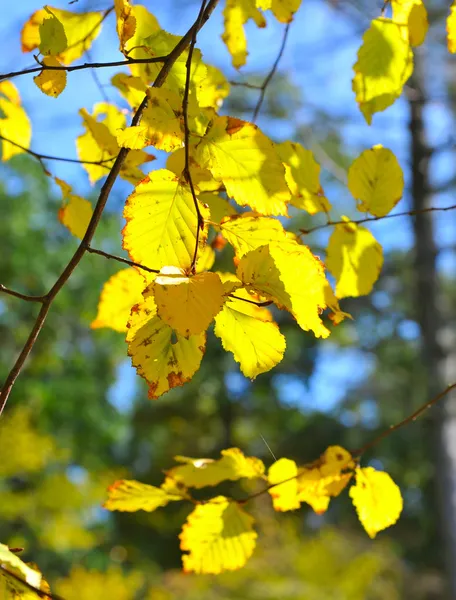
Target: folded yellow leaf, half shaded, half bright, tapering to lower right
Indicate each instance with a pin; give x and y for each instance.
(292, 277)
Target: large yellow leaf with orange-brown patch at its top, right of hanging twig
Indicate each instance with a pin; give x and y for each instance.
(246, 161)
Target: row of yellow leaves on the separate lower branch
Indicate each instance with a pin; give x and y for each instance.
(219, 535)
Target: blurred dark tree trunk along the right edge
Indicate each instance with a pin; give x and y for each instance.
(437, 335)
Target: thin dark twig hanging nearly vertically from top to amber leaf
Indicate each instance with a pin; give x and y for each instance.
(188, 177)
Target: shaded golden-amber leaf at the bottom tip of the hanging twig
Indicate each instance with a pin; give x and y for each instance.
(188, 304)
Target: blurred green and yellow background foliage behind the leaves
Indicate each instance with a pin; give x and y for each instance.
(80, 418)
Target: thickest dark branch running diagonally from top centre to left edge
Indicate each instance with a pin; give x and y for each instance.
(96, 216)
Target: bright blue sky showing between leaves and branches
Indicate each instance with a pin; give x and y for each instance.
(319, 56)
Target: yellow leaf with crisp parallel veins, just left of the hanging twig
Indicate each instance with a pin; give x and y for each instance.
(162, 222)
